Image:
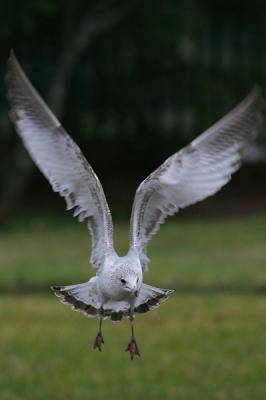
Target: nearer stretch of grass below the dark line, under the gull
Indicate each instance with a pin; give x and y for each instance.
(208, 347)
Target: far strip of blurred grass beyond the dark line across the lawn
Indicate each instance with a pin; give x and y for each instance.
(185, 253)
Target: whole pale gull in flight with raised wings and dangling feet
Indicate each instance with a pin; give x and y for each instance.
(190, 175)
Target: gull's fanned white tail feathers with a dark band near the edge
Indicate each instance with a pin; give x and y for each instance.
(84, 297)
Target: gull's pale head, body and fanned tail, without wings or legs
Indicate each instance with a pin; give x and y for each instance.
(117, 290)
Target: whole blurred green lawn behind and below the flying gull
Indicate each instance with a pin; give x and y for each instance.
(206, 342)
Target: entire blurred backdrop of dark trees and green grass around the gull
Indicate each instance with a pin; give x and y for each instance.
(133, 82)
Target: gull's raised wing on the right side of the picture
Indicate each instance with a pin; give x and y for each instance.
(195, 172)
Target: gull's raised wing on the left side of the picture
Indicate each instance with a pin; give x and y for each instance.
(59, 159)
